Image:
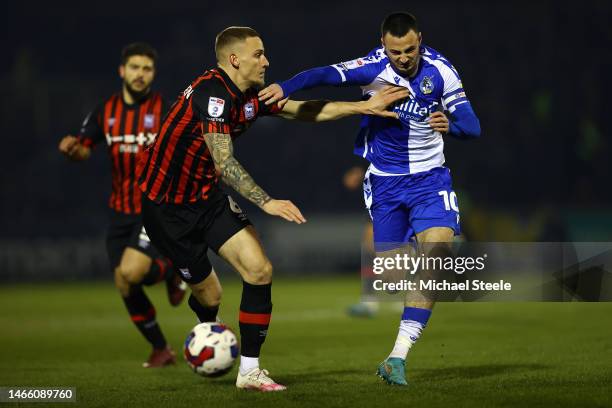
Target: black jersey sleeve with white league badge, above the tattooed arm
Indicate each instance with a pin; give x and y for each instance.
(212, 104)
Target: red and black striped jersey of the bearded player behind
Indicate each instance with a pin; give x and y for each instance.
(127, 130)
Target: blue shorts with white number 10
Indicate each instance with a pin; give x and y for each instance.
(403, 206)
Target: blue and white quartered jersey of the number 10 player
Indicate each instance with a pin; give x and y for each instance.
(410, 145)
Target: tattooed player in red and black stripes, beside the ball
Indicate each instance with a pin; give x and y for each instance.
(184, 210)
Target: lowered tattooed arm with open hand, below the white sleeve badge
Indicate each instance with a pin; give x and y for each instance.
(232, 173)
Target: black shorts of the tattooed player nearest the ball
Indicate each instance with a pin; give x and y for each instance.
(184, 232)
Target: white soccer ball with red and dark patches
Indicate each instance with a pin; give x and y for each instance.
(211, 349)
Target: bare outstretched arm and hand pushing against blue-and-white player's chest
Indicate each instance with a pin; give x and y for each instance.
(319, 111)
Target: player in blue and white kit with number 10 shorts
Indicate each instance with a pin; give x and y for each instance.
(407, 189)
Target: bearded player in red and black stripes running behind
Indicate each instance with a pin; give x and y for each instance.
(127, 122)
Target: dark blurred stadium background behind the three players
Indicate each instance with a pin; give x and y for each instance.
(535, 73)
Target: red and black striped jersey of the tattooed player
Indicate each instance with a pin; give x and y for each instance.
(178, 167)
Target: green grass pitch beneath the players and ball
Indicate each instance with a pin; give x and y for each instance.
(472, 355)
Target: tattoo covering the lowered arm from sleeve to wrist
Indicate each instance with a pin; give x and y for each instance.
(232, 172)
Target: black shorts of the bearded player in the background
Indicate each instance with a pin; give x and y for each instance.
(126, 231)
